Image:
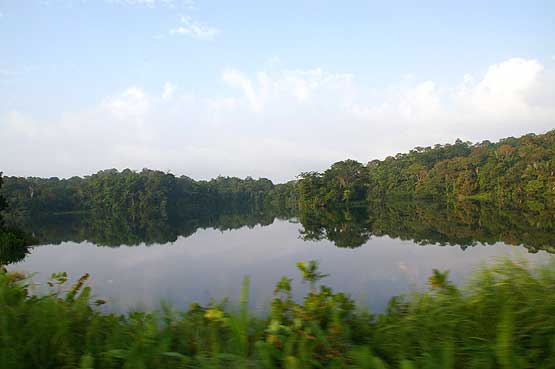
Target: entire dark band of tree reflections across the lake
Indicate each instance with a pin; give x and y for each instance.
(427, 223)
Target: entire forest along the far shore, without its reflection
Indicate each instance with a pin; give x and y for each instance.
(510, 171)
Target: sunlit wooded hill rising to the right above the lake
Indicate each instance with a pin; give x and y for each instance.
(509, 171)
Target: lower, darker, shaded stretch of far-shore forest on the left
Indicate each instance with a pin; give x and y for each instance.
(144, 194)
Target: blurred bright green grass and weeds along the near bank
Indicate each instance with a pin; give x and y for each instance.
(504, 318)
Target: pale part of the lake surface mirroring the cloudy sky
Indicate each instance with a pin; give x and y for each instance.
(210, 264)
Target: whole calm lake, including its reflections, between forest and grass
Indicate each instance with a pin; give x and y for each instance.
(371, 253)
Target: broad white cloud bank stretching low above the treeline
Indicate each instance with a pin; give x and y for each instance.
(278, 123)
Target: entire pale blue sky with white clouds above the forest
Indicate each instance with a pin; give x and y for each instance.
(260, 88)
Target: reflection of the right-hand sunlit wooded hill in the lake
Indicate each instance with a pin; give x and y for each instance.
(434, 223)
